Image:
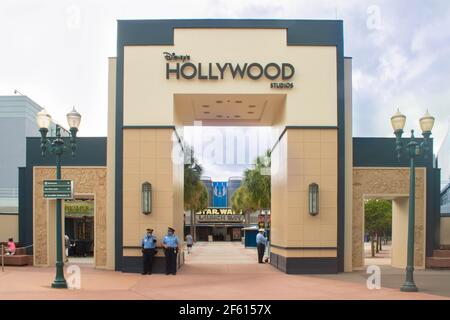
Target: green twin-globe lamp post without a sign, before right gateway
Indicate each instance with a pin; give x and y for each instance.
(413, 150)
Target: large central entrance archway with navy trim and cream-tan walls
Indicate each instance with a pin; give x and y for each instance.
(153, 98)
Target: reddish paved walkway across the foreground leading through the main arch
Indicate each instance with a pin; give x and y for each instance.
(217, 271)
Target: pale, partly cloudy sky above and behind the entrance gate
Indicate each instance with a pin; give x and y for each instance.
(55, 52)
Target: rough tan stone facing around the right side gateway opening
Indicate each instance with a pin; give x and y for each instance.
(390, 183)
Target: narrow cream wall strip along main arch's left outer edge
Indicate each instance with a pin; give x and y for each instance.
(111, 165)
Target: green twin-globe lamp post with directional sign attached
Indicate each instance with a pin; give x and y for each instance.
(57, 147)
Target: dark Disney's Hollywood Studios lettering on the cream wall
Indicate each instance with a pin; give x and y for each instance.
(180, 67)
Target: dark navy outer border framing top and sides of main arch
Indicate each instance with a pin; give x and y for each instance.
(299, 32)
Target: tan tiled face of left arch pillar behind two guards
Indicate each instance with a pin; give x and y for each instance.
(148, 157)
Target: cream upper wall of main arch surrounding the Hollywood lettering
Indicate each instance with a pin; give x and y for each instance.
(315, 78)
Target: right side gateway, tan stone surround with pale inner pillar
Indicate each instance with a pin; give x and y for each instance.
(393, 184)
